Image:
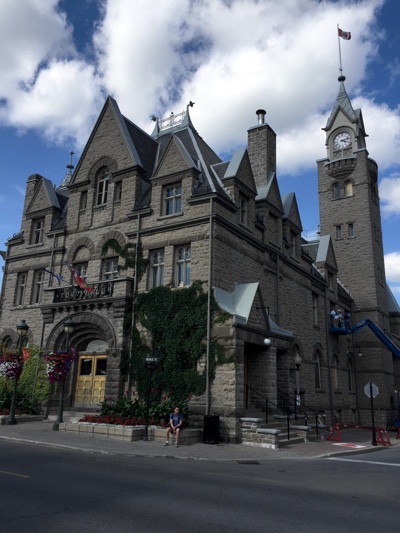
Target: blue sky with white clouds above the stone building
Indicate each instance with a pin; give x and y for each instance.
(60, 59)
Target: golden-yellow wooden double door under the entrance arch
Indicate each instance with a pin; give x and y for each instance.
(91, 379)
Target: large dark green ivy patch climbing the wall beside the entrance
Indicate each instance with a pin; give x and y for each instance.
(176, 323)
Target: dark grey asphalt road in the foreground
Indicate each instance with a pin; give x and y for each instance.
(47, 490)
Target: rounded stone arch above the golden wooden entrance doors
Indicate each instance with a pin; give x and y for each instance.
(88, 326)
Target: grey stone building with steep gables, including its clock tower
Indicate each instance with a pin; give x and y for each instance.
(200, 218)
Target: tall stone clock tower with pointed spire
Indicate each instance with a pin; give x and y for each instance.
(350, 214)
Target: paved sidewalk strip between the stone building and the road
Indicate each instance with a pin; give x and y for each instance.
(353, 440)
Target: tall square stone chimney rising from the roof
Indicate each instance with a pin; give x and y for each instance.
(262, 149)
